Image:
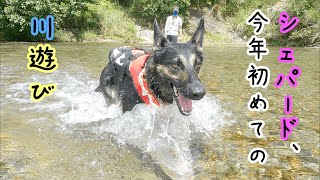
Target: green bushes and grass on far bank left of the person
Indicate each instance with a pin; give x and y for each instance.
(74, 20)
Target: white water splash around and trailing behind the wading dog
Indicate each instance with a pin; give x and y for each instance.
(162, 132)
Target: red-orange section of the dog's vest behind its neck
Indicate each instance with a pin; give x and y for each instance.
(137, 71)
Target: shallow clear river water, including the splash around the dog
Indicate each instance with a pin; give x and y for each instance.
(74, 134)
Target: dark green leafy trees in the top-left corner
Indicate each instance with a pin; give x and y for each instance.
(69, 15)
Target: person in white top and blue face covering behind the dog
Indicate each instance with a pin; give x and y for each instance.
(173, 27)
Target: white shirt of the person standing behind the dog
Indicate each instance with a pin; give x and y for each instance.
(173, 24)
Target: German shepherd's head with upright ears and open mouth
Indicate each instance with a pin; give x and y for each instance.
(174, 67)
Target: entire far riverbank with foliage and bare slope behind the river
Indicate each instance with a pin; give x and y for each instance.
(115, 21)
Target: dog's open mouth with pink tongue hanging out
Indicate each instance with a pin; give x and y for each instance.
(184, 103)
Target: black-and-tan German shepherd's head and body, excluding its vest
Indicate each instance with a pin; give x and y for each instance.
(171, 74)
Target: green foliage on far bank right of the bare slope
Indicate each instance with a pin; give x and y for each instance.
(306, 33)
